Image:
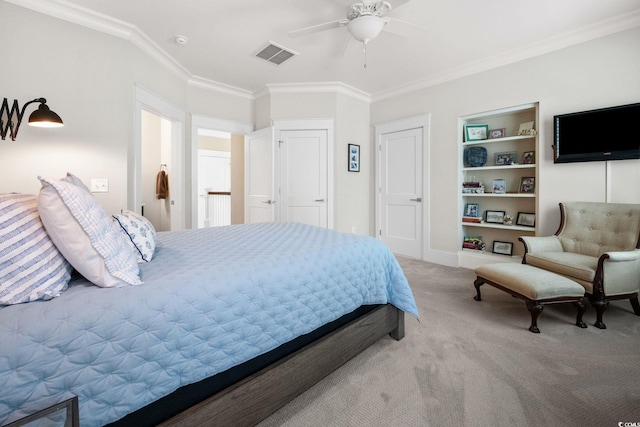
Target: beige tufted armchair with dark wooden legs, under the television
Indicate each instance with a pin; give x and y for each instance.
(598, 246)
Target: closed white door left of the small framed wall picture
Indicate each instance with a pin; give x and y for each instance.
(303, 176)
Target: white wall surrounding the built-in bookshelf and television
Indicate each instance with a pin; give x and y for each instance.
(599, 73)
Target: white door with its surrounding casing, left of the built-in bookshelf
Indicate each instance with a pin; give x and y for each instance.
(401, 202)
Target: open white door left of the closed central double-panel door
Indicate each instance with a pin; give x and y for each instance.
(259, 169)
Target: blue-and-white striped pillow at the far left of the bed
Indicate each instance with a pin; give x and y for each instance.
(31, 267)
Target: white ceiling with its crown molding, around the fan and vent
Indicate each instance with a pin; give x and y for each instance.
(451, 38)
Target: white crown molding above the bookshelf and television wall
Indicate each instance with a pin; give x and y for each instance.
(600, 29)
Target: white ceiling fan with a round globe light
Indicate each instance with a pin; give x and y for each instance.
(364, 21)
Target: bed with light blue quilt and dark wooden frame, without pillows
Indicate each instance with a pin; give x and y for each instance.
(225, 318)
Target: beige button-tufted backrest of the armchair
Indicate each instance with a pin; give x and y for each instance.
(590, 228)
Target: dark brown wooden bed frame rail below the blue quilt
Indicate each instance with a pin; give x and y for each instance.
(253, 399)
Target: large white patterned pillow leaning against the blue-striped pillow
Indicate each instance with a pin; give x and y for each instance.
(86, 235)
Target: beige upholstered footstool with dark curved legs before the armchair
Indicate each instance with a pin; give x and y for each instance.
(537, 287)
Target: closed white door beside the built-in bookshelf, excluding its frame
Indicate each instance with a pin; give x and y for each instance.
(401, 191)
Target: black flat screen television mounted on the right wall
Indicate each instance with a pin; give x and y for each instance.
(605, 134)
